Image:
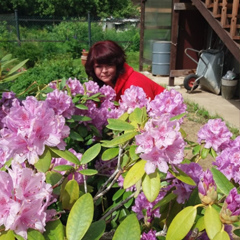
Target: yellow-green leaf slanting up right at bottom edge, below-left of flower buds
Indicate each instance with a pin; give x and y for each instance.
(181, 224)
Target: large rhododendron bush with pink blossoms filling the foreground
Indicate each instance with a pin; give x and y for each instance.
(75, 164)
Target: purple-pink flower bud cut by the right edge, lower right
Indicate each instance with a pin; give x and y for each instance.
(231, 208)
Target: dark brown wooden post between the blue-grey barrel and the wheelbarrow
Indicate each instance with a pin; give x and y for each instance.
(174, 41)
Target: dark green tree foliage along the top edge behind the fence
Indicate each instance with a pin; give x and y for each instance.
(71, 8)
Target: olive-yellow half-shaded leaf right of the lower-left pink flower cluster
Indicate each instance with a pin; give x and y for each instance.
(70, 194)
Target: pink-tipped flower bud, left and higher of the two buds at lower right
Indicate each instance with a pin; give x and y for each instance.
(207, 189)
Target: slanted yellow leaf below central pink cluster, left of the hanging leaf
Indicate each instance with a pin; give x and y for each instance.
(134, 174)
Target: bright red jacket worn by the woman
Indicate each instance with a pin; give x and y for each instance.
(131, 77)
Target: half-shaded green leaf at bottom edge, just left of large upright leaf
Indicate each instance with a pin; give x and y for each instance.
(54, 230)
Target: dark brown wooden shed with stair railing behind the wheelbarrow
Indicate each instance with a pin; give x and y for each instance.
(197, 24)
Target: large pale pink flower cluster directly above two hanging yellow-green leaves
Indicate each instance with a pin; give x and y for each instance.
(160, 144)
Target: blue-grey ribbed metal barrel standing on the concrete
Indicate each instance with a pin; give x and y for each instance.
(161, 57)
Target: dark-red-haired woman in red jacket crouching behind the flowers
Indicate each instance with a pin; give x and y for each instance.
(106, 64)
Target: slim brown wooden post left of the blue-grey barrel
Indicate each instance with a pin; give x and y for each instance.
(142, 26)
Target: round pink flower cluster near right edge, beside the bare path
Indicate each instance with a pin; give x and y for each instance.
(215, 134)
